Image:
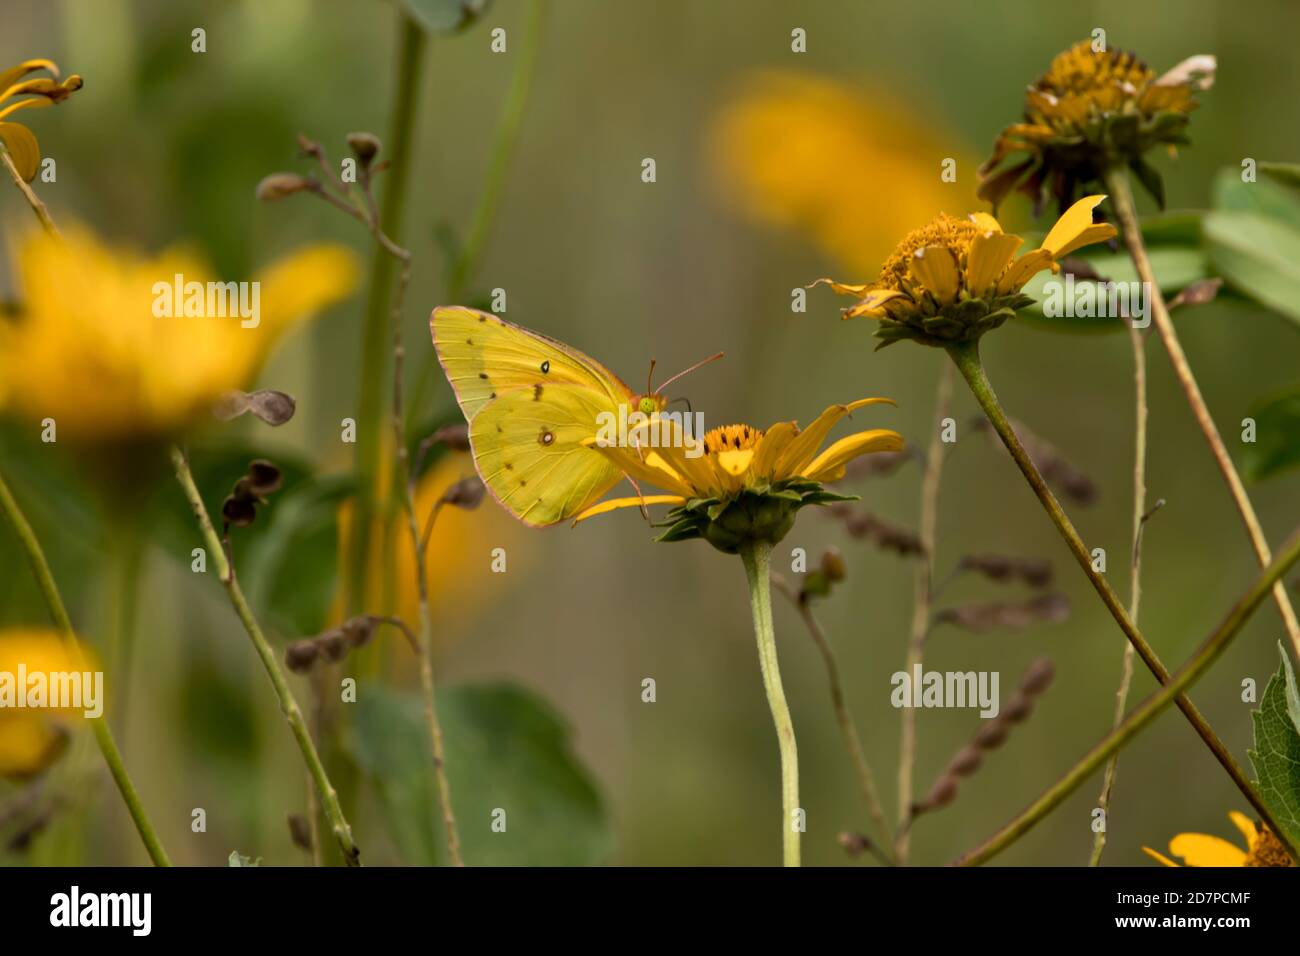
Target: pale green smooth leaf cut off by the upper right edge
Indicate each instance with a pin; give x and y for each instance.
(1259, 256)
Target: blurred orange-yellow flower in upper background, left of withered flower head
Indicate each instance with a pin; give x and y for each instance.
(848, 166)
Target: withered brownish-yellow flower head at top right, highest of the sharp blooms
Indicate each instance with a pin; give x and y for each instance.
(1093, 110)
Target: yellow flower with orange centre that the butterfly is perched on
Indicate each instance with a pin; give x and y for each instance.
(740, 486)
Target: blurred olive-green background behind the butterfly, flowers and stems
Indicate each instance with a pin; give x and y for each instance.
(164, 145)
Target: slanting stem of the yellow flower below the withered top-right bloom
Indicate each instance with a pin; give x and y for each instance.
(967, 357)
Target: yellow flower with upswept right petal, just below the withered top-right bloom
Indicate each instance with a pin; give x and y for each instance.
(954, 280)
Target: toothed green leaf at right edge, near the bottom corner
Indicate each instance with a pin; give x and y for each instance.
(1277, 751)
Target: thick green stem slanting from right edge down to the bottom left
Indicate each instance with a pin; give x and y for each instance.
(1146, 713)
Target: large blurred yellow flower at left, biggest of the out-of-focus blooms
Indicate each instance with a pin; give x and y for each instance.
(92, 348)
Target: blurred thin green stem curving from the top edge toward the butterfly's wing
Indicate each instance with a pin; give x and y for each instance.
(466, 263)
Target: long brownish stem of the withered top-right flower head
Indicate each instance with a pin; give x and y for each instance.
(1123, 201)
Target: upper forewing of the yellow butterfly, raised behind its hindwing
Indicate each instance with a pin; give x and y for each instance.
(484, 356)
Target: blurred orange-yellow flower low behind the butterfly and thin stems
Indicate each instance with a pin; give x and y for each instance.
(458, 564)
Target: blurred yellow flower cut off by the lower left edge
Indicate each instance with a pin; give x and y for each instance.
(31, 741)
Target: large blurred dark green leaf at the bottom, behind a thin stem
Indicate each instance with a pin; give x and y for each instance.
(506, 750)
